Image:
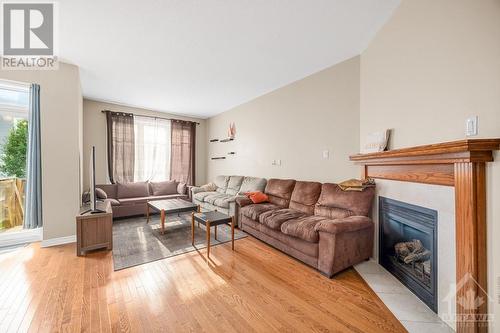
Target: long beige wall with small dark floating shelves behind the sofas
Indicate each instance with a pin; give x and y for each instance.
(294, 124)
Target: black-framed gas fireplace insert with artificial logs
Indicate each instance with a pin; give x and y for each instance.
(408, 247)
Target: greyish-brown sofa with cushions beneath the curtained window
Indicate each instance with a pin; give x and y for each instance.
(130, 199)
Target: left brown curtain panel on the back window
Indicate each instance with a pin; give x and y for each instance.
(121, 149)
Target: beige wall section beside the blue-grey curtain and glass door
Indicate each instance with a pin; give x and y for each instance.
(60, 101)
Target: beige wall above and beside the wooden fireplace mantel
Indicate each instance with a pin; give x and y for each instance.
(435, 63)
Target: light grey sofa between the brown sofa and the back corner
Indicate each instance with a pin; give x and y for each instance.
(223, 195)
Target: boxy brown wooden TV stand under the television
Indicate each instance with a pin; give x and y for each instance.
(94, 231)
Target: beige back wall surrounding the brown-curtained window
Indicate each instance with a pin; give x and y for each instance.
(94, 134)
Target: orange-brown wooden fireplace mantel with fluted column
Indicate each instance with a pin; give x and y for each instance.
(460, 164)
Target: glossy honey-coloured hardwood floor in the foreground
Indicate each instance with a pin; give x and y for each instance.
(254, 289)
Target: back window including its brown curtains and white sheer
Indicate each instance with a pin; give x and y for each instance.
(144, 148)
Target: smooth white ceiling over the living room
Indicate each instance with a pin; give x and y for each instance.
(204, 57)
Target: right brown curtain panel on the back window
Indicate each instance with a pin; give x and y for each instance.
(182, 151)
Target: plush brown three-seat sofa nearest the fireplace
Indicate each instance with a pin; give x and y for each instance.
(319, 224)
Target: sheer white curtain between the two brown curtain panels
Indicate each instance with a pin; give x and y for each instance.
(152, 149)
